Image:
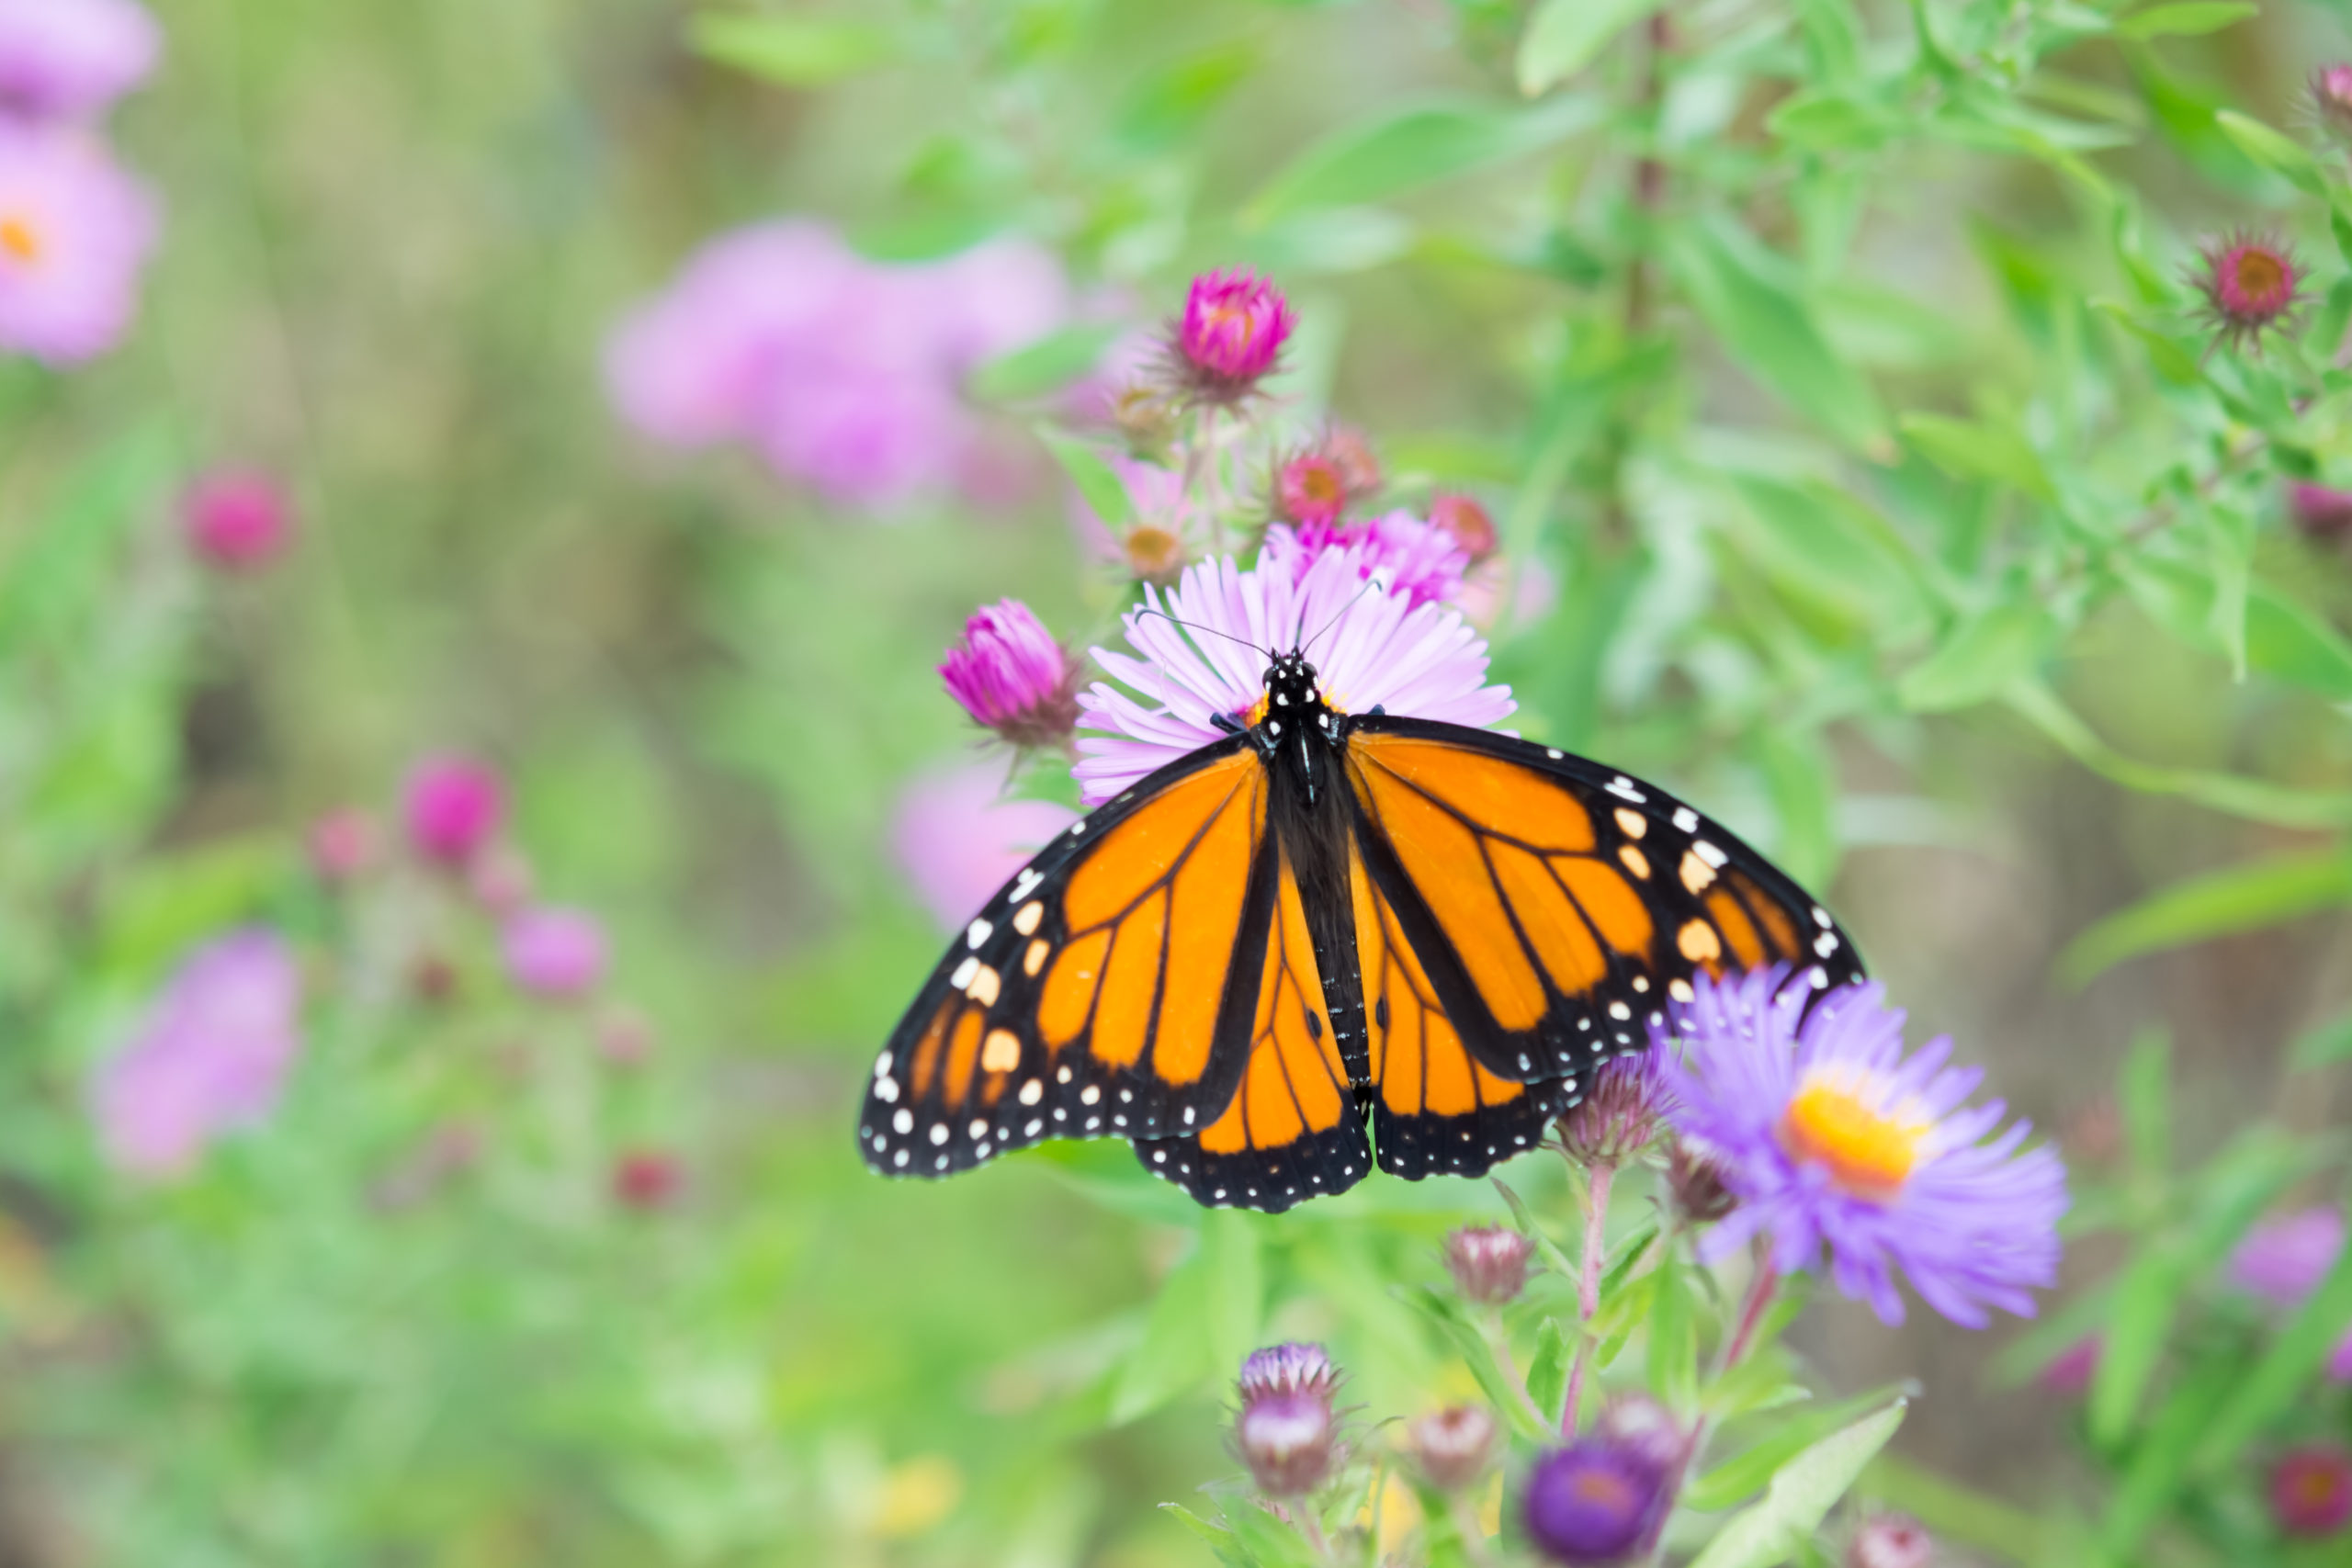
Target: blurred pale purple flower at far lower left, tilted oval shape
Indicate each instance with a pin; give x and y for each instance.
(211, 1057)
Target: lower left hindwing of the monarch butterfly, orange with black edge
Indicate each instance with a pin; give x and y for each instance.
(1292, 1127)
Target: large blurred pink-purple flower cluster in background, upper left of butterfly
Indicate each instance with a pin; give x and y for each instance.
(846, 373)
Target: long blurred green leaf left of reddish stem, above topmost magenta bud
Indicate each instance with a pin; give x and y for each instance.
(1417, 147)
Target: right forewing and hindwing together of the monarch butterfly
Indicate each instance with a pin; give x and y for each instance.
(1521, 916)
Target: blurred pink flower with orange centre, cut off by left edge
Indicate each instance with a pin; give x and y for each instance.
(74, 234)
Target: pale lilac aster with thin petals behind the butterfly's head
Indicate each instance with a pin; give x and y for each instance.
(1372, 650)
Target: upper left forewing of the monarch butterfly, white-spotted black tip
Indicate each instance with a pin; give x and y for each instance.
(1109, 989)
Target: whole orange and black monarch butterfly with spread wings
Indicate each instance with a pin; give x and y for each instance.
(1323, 925)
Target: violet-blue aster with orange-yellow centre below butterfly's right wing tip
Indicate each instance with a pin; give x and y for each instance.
(1831, 1139)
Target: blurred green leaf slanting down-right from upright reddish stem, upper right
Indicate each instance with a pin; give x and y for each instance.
(1756, 302)
